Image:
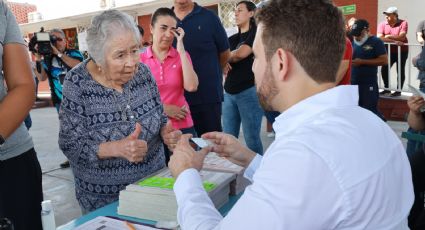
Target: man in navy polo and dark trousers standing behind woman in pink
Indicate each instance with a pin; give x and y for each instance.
(206, 41)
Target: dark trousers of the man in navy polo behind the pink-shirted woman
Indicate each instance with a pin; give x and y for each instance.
(206, 117)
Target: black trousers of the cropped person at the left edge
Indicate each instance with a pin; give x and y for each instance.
(21, 191)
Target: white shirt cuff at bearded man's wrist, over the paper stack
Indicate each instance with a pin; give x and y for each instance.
(185, 182)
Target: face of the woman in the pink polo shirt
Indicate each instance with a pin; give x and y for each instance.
(162, 35)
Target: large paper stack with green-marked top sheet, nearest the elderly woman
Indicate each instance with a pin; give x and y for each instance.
(153, 198)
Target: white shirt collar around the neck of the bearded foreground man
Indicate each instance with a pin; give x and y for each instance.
(292, 118)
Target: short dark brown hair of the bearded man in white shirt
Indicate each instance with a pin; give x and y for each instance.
(312, 30)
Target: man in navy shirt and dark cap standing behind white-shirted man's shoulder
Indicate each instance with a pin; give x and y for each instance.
(368, 53)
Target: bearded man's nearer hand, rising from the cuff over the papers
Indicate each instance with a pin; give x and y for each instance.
(185, 157)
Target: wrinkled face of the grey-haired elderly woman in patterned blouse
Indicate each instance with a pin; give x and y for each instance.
(121, 58)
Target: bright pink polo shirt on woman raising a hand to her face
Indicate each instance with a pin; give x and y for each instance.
(169, 78)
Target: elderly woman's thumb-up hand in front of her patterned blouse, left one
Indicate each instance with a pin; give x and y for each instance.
(132, 148)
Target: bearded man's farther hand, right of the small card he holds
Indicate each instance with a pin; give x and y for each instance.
(227, 146)
